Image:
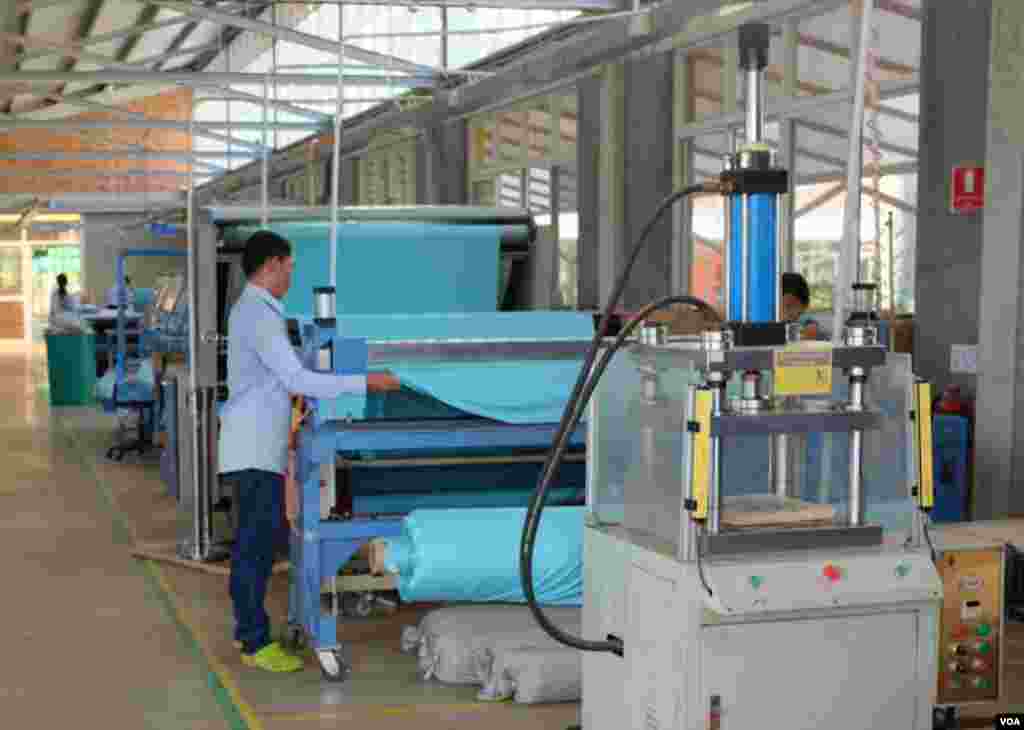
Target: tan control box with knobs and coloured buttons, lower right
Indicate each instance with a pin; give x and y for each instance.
(970, 634)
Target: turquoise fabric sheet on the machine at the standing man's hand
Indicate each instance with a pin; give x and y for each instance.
(510, 392)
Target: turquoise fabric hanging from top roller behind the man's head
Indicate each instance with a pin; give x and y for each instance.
(395, 268)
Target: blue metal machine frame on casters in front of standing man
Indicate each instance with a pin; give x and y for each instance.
(321, 548)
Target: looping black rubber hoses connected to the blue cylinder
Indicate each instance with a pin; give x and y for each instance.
(584, 388)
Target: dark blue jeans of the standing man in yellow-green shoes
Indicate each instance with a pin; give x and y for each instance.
(262, 496)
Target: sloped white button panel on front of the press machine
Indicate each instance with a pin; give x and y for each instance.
(822, 581)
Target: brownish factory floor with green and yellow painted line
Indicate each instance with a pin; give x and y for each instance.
(100, 634)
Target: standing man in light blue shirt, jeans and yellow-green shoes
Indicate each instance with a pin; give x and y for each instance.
(264, 372)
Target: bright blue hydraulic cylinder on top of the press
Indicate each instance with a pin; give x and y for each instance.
(762, 261)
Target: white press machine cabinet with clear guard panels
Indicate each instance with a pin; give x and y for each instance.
(834, 636)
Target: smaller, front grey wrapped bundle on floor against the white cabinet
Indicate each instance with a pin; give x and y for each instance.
(535, 676)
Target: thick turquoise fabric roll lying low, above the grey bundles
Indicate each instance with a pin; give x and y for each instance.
(473, 556)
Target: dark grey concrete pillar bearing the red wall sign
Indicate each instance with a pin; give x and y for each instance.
(954, 113)
